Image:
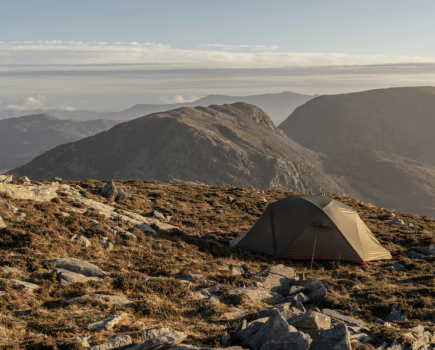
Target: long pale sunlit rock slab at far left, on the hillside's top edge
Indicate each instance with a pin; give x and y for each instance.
(36, 193)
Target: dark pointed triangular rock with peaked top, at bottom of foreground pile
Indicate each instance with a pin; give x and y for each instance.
(274, 328)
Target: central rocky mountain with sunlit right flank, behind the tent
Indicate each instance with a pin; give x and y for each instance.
(235, 145)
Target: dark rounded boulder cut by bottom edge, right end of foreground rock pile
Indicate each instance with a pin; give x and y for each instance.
(337, 338)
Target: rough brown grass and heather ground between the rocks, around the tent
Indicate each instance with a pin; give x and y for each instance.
(206, 221)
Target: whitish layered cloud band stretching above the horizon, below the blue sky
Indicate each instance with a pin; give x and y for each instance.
(91, 74)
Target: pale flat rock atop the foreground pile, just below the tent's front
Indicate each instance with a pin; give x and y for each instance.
(276, 278)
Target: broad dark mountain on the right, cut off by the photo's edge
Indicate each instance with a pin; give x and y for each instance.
(381, 141)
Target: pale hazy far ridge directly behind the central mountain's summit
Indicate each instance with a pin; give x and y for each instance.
(277, 106)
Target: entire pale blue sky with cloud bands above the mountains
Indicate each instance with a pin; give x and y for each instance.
(109, 55)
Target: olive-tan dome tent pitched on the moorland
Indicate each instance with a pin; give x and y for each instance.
(312, 227)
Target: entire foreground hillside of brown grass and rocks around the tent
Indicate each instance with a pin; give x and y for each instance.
(182, 279)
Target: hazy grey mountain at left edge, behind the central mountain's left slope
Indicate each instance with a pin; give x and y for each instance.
(24, 138)
